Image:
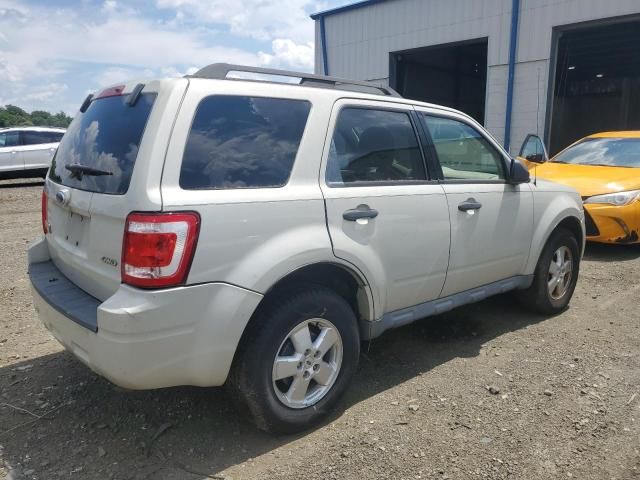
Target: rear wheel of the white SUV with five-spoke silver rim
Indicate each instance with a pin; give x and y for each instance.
(299, 355)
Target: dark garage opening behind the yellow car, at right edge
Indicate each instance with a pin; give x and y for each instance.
(597, 82)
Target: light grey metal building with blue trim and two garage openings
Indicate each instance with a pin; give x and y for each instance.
(560, 68)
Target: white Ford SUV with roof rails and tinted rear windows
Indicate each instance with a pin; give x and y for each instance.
(231, 228)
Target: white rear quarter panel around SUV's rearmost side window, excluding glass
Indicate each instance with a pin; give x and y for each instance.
(254, 237)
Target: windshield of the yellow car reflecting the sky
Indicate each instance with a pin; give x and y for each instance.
(614, 152)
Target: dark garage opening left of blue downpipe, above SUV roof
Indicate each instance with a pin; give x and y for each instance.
(454, 75)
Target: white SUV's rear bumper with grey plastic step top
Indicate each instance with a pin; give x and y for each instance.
(142, 338)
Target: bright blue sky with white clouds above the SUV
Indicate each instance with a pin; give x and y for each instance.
(54, 52)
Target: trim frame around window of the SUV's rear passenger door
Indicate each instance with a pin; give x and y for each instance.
(410, 112)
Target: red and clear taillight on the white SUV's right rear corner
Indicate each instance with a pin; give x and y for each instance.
(158, 248)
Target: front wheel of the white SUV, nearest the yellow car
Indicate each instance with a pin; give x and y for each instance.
(555, 276)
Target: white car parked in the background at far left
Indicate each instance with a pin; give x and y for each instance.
(27, 151)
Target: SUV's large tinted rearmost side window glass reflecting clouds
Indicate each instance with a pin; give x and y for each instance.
(243, 142)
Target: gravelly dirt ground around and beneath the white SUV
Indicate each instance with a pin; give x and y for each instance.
(567, 402)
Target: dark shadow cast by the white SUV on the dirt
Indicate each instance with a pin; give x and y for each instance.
(103, 431)
